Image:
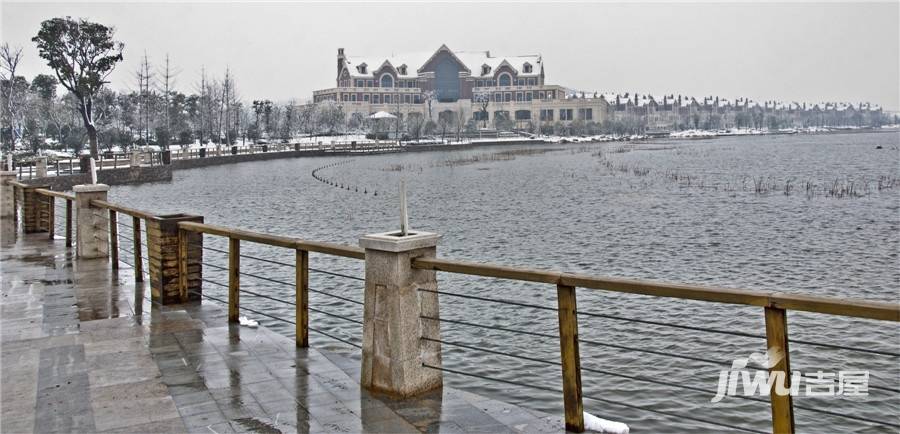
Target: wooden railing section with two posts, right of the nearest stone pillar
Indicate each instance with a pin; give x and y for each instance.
(775, 307)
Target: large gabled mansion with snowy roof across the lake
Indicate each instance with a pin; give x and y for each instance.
(490, 89)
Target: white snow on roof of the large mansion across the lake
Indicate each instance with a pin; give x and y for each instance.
(474, 60)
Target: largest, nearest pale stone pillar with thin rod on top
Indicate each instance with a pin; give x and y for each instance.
(393, 351)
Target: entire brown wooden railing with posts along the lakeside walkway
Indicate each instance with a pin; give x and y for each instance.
(775, 305)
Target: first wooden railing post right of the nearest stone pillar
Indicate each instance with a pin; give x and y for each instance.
(571, 359)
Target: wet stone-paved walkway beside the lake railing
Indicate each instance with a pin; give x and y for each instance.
(82, 350)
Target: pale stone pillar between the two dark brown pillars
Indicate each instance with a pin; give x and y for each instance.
(91, 224)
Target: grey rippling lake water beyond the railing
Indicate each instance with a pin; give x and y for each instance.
(710, 212)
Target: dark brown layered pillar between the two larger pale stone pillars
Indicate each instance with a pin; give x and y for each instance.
(164, 259)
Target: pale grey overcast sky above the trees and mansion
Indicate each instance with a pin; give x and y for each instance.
(788, 51)
